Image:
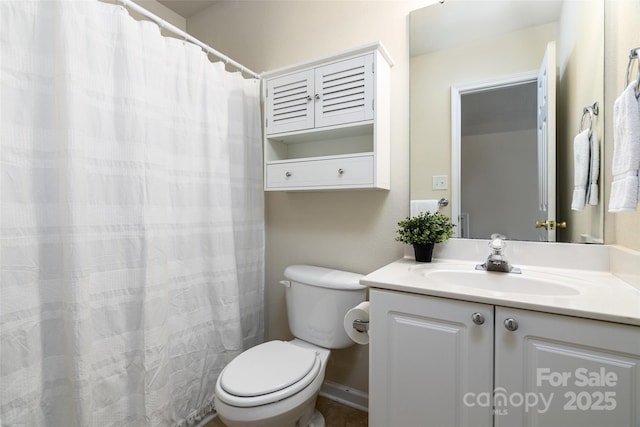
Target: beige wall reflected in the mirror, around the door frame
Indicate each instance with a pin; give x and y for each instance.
(432, 76)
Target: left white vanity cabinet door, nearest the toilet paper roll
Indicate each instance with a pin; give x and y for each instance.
(429, 361)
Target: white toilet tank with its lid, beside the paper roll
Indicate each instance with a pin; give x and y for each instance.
(317, 300)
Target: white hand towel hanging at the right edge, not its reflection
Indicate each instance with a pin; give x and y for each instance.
(625, 187)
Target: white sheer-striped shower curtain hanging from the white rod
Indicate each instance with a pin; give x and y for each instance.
(131, 219)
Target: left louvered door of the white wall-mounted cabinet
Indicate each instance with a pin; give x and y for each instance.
(290, 102)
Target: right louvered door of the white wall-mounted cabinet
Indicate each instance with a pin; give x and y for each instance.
(344, 92)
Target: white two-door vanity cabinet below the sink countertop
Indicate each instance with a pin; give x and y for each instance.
(434, 363)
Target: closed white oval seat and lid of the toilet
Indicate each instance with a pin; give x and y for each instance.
(267, 373)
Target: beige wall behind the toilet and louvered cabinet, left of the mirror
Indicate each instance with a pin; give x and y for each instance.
(351, 230)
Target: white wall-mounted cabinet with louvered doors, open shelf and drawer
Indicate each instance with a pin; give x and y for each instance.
(326, 123)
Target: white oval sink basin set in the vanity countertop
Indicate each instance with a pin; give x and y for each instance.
(525, 283)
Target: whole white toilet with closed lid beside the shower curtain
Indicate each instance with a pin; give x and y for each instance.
(276, 383)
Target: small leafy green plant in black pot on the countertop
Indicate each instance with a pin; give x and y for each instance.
(423, 231)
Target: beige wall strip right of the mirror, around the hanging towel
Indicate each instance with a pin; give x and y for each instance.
(621, 35)
